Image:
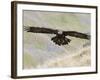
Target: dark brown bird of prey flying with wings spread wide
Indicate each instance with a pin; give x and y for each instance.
(61, 36)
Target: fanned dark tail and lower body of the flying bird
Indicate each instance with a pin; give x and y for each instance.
(60, 39)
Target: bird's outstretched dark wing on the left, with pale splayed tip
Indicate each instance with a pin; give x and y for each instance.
(40, 30)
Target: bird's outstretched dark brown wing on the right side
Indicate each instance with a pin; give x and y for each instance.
(76, 34)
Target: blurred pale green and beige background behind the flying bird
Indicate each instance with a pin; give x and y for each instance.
(41, 52)
